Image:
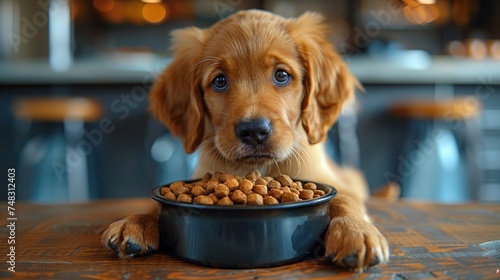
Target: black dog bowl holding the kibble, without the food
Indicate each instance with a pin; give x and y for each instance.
(243, 236)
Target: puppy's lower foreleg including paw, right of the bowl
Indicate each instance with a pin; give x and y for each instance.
(351, 240)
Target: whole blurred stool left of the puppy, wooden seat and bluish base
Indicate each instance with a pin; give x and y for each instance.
(56, 125)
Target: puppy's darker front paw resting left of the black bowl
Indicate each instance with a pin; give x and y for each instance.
(133, 236)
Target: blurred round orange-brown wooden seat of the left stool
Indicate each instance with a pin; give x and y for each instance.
(57, 109)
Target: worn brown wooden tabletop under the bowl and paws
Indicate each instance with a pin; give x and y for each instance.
(427, 241)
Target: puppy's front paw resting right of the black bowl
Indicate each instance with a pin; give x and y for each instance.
(355, 244)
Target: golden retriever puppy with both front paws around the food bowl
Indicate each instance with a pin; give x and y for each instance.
(257, 91)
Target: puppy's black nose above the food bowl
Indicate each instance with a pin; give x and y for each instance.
(254, 132)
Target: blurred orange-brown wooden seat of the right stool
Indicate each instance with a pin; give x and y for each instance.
(453, 109)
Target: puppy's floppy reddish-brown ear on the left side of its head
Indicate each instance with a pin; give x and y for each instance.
(176, 98)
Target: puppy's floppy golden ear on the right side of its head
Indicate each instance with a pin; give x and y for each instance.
(328, 83)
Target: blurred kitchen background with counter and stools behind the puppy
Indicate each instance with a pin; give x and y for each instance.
(74, 77)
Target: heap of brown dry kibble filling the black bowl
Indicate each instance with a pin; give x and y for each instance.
(226, 189)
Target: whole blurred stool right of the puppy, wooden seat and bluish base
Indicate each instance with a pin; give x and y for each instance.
(438, 154)
